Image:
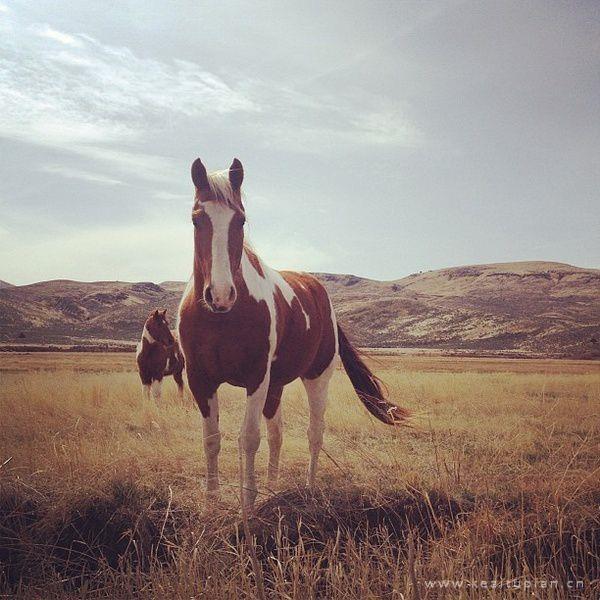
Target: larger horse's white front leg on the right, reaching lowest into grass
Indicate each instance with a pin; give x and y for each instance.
(249, 439)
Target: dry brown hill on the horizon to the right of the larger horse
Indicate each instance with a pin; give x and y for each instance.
(538, 307)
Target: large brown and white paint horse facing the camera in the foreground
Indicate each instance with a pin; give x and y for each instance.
(243, 323)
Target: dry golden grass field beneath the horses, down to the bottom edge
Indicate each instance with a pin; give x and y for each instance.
(493, 492)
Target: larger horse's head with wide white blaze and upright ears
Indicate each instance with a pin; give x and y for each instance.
(218, 218)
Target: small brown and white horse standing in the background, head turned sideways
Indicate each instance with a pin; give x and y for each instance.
(158, 355)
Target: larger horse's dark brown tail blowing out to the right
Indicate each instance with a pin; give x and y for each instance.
(368, 386)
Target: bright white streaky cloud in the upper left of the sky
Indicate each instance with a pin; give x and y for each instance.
(75, 93)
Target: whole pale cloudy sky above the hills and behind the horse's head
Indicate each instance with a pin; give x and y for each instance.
(378, 138)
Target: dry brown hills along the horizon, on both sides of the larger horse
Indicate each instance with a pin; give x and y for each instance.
(540, 308)
